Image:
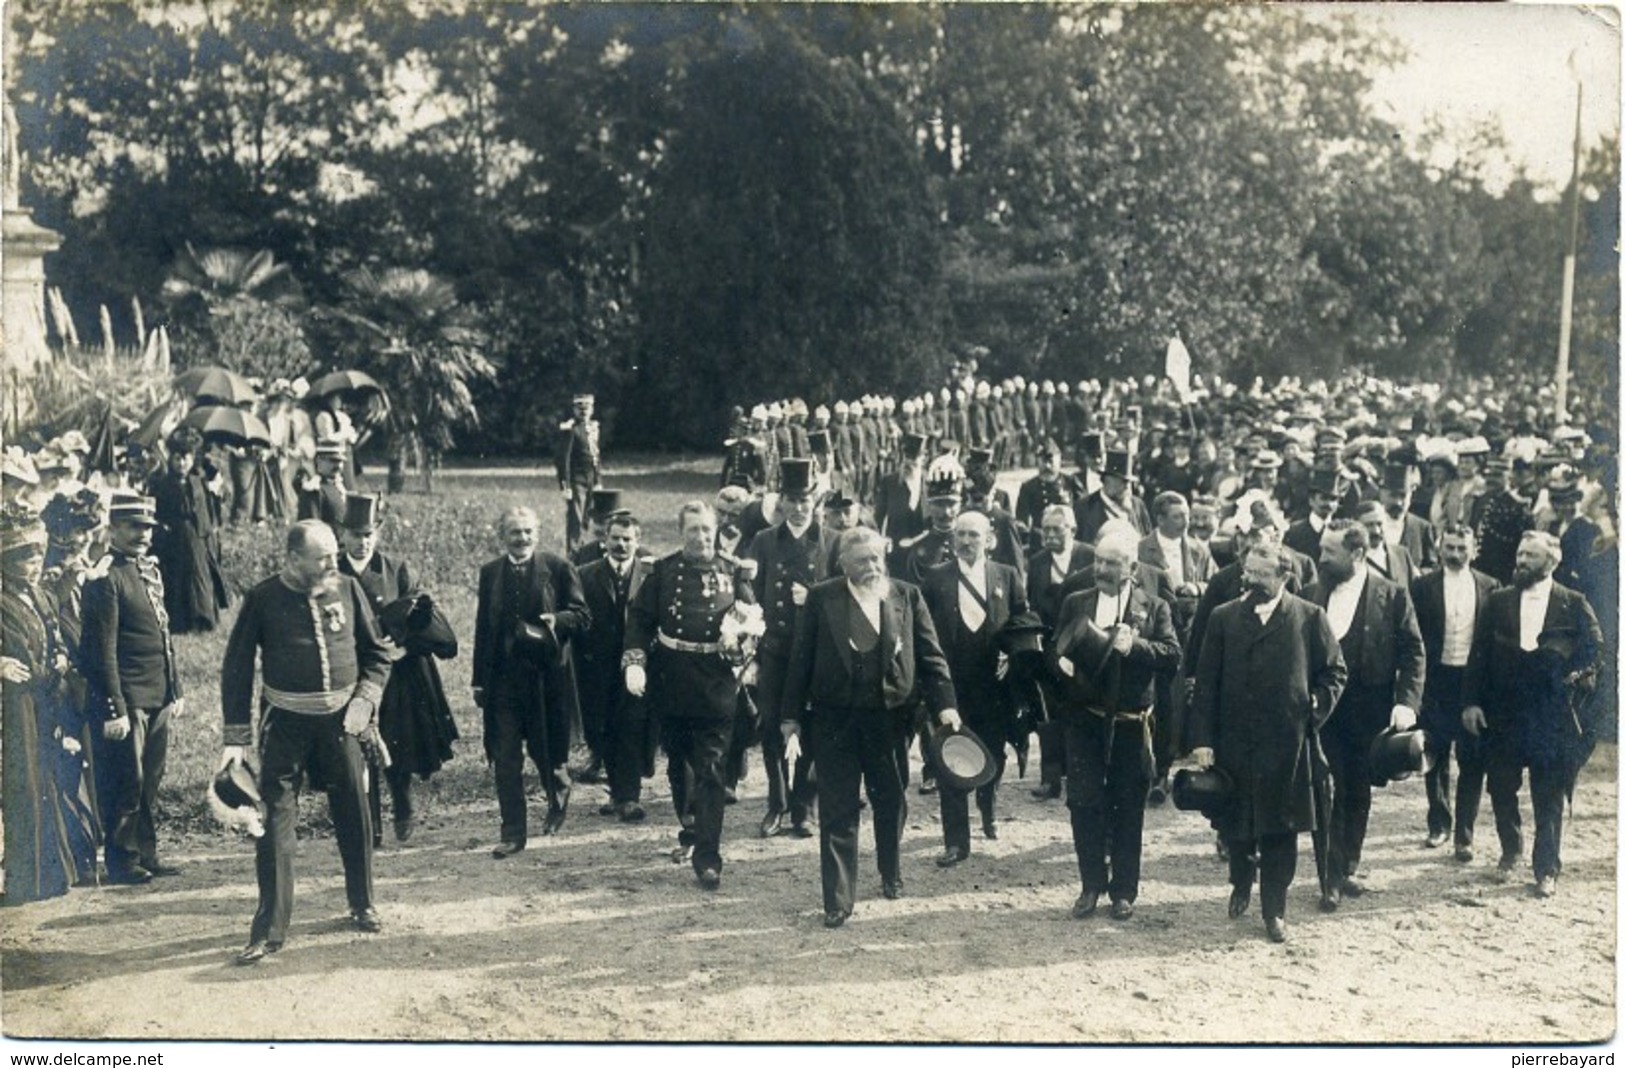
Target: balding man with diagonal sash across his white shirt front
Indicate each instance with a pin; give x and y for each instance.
(971, 601)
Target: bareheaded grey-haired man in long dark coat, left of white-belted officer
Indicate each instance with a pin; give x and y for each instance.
(531, 607)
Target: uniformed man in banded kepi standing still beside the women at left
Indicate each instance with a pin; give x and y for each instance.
(134, 687)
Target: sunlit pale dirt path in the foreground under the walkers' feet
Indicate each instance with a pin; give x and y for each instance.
(612, 937)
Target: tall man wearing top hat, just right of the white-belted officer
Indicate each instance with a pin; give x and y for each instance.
(791, 560)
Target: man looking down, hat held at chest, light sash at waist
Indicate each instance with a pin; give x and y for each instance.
(1112, 641)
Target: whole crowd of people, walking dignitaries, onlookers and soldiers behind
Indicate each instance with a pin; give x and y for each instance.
(1298, 593)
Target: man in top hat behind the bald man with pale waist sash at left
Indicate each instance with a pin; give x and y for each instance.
(415, 719)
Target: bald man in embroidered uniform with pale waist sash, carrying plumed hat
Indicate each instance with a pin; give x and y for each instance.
(323, 667)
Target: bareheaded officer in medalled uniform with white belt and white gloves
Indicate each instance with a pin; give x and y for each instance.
(675, 653)
